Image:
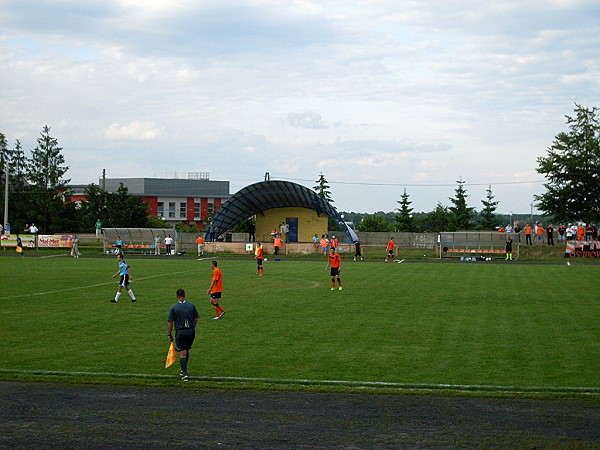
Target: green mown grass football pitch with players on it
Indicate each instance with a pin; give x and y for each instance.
(421, 324)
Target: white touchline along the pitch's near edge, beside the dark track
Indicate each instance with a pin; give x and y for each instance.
(417, 387)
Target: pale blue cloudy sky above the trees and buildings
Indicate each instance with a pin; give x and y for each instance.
(379, 96)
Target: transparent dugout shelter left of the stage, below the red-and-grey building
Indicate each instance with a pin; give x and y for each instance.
(137, 240)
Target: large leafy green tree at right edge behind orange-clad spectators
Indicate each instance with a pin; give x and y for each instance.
(572, 168)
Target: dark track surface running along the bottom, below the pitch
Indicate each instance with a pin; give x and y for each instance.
(46, 415)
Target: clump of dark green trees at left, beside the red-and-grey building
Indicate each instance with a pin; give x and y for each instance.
(39, 193)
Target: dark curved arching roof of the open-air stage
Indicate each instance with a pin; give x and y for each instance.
(265, 195)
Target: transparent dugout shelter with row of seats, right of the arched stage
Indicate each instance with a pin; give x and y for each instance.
(476, 244)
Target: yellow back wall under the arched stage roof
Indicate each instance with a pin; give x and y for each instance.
(309, 223)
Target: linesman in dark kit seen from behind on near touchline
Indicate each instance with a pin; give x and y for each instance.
(185, 318)
